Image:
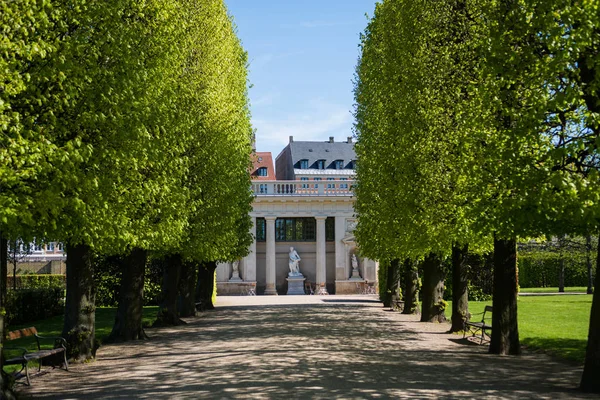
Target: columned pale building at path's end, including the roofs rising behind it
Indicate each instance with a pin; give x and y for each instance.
(309, 206)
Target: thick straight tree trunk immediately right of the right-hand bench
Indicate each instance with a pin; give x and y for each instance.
(505, 331)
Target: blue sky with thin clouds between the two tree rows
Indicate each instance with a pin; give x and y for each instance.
(302, 56)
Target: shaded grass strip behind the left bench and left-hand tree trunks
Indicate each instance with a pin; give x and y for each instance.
(105, 318)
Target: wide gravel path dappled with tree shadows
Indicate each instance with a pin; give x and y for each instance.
(306, 347)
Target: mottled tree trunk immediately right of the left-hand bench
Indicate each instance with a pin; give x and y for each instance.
(80, 306)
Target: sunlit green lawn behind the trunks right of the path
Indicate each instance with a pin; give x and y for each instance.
(557, 325)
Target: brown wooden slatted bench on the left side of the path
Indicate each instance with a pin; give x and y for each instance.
(60, 346)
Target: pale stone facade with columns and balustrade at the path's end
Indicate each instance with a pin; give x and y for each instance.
(325, 264)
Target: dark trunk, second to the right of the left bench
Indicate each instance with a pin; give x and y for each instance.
(128, 322)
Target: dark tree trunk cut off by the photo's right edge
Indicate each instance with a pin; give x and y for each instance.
(591, 367)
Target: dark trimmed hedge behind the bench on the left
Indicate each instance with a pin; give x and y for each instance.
(29, 305)
